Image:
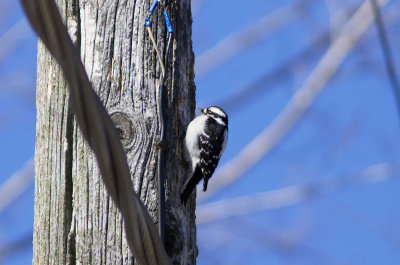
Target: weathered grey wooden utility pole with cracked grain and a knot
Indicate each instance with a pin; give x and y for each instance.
(75, 220)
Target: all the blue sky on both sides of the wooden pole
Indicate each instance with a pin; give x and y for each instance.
(352, 125)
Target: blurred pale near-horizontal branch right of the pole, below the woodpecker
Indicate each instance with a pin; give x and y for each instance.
(295, 194)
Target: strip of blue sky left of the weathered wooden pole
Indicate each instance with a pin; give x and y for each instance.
(17, 125)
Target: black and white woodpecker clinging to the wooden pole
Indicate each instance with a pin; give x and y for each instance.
(205, 142)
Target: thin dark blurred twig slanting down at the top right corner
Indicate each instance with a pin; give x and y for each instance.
(387, 53)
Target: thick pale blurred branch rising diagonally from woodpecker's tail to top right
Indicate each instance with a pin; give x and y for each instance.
(300, 102)
